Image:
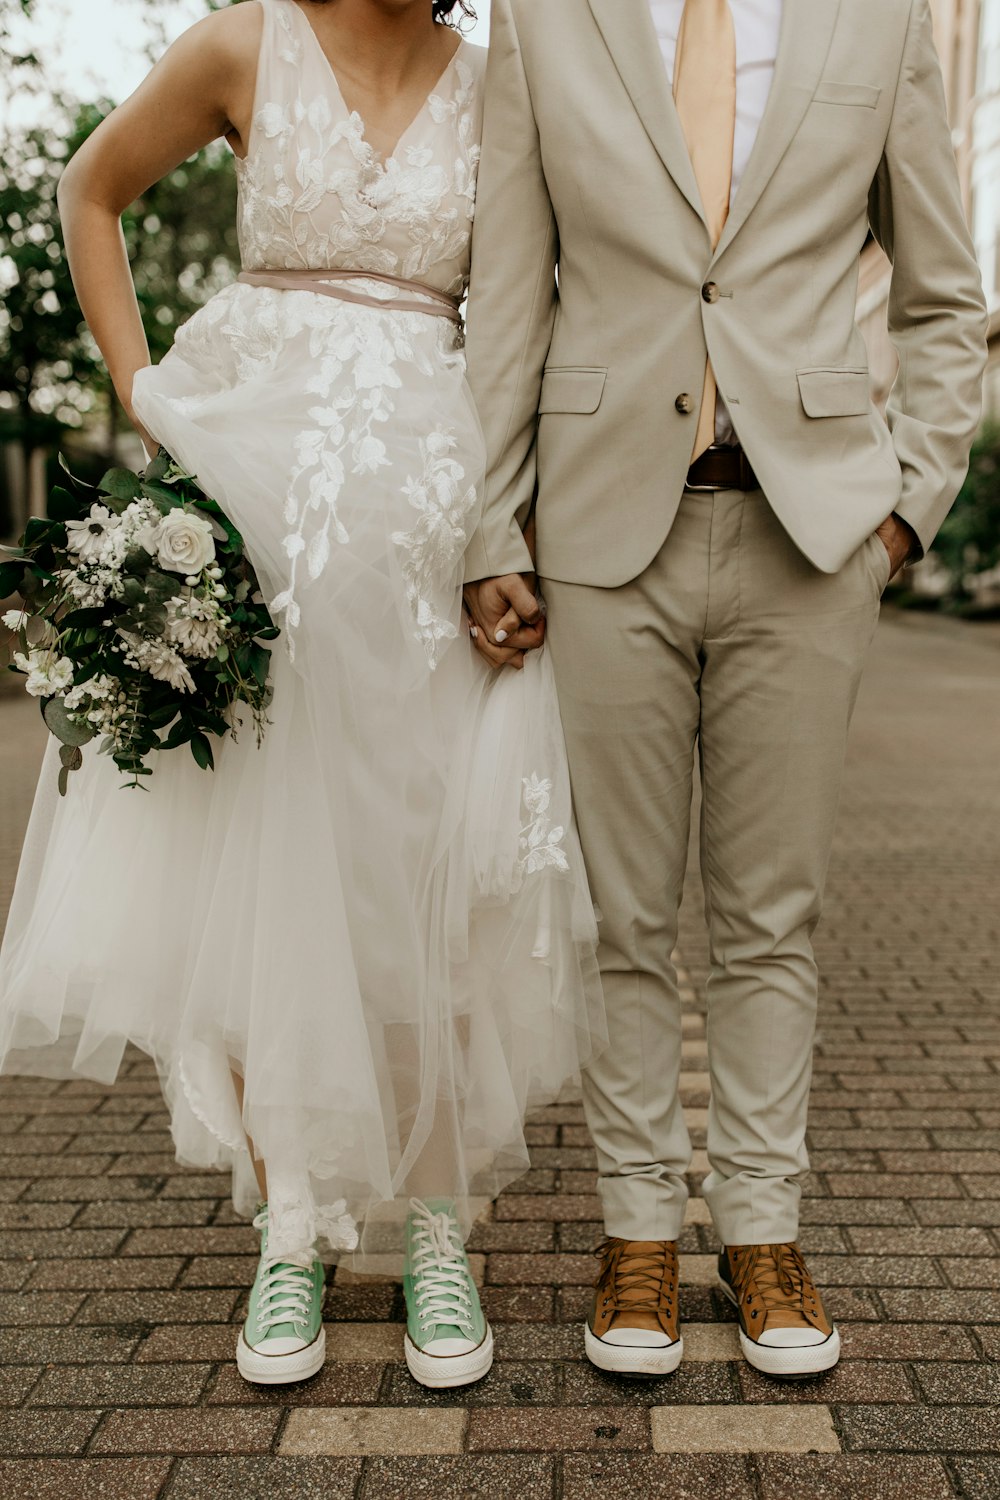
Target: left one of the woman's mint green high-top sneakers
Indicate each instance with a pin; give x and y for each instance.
(283, 1339)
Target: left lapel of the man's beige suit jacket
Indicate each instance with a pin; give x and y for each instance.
(632, 40)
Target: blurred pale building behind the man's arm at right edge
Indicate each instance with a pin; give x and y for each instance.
(968, 35)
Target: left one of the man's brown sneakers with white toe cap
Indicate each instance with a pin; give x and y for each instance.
(633, 1325)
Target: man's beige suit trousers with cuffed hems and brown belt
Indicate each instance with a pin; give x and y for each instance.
(735, 644)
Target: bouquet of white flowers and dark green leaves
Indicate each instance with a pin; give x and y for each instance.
(142, 620)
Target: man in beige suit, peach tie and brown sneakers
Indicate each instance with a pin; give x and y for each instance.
(662, 340)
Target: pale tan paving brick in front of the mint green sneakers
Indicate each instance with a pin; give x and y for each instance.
(374, 1430)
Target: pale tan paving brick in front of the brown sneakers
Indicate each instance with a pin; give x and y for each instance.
(744, 1430)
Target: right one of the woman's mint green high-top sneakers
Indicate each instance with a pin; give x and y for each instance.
(449, 1342)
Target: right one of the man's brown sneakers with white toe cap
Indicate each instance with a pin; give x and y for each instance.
(783, 1328)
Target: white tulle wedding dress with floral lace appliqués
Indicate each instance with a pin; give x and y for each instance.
(382, 916)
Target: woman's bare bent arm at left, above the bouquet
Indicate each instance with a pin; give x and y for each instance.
(200, 91)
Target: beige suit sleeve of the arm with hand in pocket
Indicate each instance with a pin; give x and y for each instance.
(938, 317)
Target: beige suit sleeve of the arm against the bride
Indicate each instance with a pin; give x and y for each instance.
(512, 304)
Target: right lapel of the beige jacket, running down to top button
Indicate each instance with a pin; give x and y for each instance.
(807, 32)
